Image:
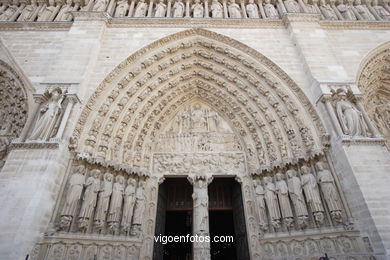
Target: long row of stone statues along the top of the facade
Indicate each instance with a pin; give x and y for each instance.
(52, 10)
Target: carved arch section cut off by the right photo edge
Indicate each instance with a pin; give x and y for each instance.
(374, 82)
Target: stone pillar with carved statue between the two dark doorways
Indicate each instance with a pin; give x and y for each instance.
(200, 224)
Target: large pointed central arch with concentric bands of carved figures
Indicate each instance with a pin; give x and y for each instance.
(266, 114)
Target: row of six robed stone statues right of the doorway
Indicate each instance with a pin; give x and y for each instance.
(292, 199)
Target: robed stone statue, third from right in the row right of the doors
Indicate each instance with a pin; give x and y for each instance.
(296, 194)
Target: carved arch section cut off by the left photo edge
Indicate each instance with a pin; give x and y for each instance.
(13, 108)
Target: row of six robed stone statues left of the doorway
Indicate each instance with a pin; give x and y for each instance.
(103, 202)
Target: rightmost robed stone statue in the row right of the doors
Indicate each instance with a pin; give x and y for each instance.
(329, 190)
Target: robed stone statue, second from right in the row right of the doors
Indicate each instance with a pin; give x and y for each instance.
(312, 194)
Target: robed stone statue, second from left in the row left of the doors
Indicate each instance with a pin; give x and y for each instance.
(92, 187)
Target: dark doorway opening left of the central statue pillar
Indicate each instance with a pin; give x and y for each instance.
(174, 218)
